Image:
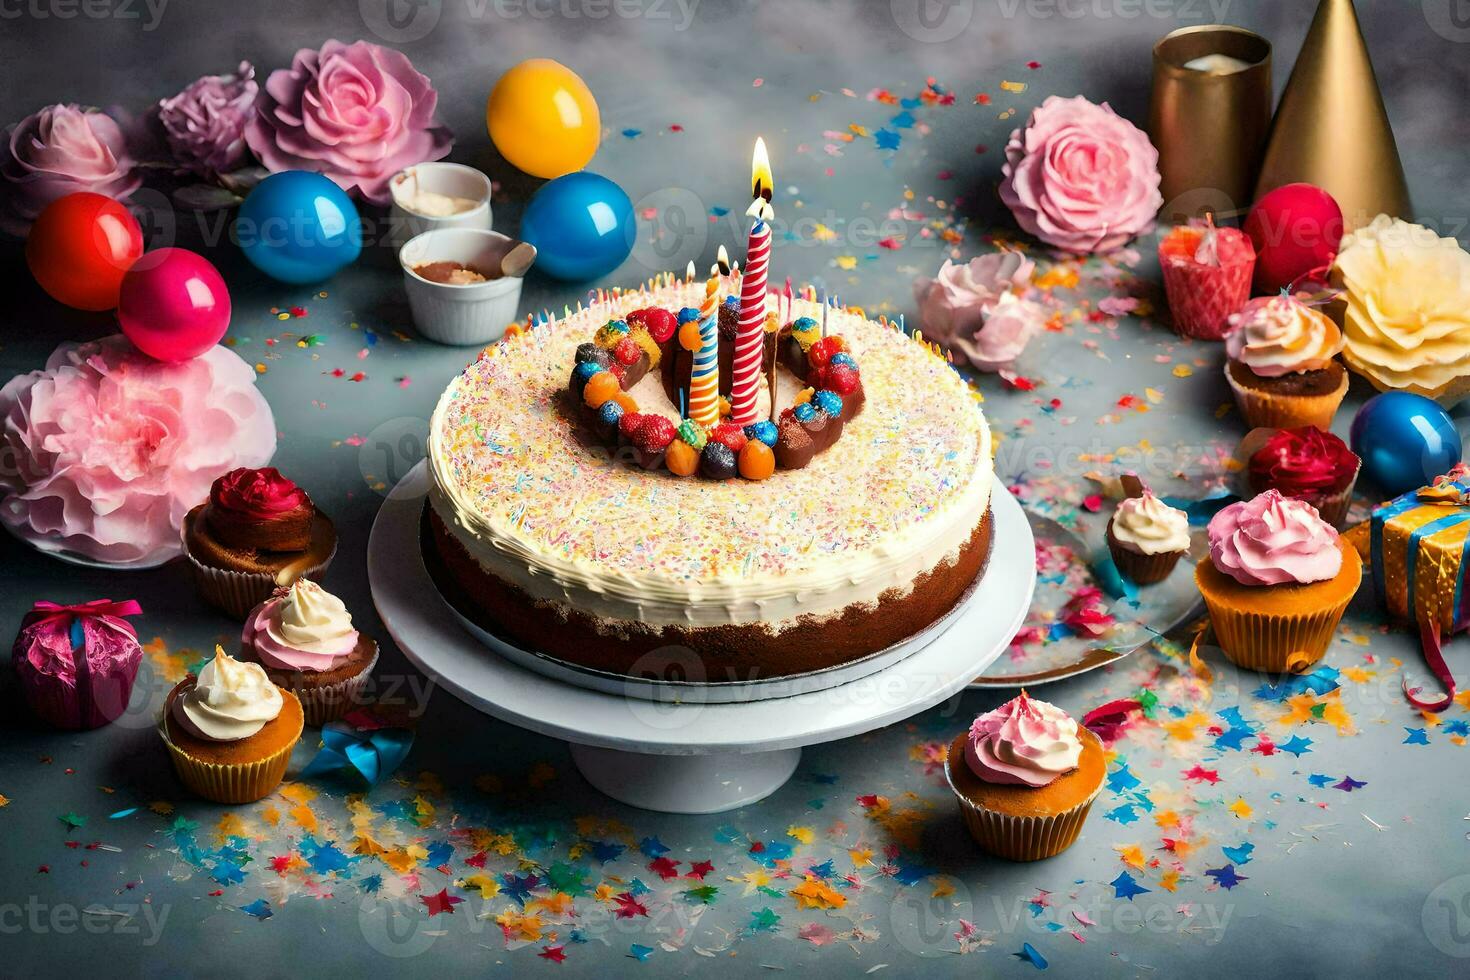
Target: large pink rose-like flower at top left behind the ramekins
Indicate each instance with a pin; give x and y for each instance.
(355, 112)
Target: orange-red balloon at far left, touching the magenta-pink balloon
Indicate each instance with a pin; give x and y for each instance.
(80, 248)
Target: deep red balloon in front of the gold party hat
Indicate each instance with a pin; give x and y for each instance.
(1297, 230)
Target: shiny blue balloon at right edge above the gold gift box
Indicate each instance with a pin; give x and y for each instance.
(1406, 442)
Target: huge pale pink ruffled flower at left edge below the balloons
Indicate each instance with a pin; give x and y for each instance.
(105, 450)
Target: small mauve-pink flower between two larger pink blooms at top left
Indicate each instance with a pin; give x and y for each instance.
(207, 123)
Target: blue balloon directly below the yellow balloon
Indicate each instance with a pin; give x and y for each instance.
(581, 224)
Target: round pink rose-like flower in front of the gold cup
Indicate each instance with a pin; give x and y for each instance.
(1081, 179)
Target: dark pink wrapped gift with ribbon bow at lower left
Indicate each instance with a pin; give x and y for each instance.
(77, 663)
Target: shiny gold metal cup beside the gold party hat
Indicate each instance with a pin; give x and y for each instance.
(1211, 126)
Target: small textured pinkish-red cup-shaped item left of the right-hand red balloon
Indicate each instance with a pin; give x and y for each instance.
(1208, 277)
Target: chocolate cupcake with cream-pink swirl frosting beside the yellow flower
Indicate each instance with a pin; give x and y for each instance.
(1281, 365)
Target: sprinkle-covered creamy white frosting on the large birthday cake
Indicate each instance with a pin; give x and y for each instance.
(899, 494)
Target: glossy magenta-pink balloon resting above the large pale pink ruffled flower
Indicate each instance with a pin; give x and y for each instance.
(174, 305)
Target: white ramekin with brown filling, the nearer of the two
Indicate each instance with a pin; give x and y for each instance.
(462, 315)
